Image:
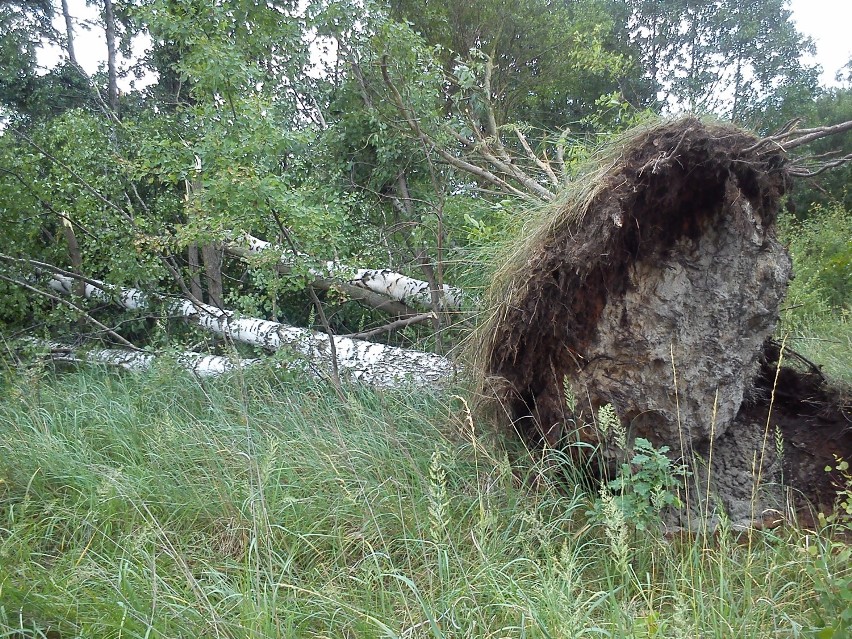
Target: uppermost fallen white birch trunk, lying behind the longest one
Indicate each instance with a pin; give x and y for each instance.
(396, 286)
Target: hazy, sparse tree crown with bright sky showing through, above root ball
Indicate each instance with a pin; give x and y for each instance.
(729, 57)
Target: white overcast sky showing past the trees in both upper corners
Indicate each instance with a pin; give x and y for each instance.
(828, 22)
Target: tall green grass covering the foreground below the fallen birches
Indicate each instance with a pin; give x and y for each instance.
(159, 506)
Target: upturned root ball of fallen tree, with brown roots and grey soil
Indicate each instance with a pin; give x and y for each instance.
(652, 286)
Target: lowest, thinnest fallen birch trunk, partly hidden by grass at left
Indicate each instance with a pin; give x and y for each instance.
(197, 363)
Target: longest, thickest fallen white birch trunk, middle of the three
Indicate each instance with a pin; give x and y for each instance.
(375, 364)
